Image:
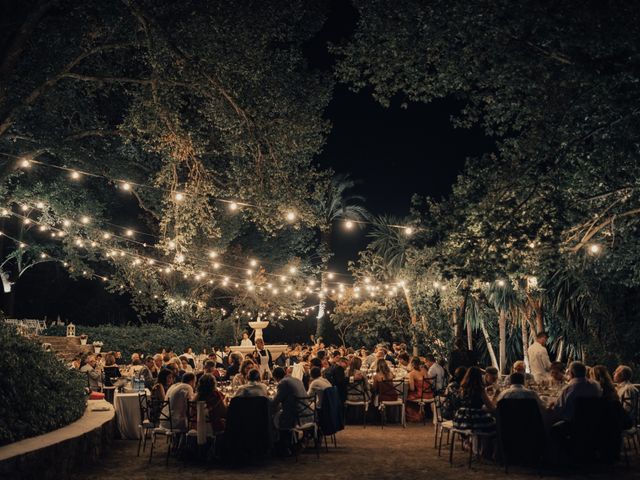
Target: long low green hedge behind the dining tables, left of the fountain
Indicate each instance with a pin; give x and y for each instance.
(147, 338)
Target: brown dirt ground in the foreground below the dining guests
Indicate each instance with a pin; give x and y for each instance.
(361, 454)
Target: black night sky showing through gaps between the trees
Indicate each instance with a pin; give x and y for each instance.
(391, 152)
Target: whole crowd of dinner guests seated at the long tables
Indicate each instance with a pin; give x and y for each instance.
(469, 394)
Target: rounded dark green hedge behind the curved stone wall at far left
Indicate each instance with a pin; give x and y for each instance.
(38, 393)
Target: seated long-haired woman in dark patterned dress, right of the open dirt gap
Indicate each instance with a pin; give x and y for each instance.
(475, 405)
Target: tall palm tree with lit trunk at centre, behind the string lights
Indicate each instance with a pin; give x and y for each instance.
(335, 203)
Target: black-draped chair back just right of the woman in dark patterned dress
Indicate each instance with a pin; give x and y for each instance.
(521, 431)
